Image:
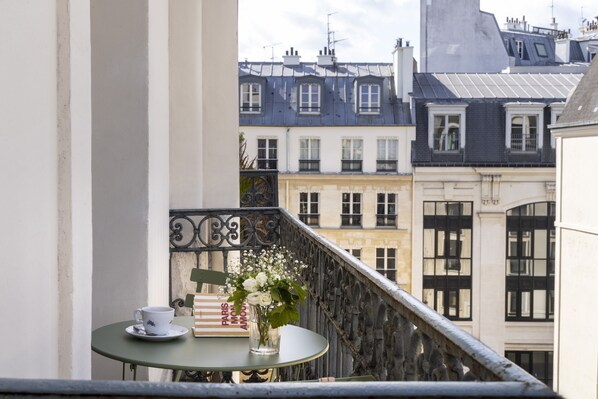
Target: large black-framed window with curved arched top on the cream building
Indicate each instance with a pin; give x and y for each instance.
(530, 262)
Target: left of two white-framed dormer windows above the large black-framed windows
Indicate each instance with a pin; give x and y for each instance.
(446, 127)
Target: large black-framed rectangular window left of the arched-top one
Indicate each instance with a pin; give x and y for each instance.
(447, 258)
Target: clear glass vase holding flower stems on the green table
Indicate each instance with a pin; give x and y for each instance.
(263, 339)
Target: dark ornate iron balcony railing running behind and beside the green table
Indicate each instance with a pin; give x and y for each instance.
(373, 326)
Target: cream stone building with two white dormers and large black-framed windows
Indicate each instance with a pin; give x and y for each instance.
(484, 206)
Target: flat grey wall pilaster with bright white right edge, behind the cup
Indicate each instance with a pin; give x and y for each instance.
(130, 160)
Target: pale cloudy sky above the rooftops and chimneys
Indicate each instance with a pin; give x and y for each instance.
(366, 30)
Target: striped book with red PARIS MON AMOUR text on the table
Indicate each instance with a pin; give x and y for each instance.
(215, 317)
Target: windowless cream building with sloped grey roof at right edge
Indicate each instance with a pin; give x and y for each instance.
(576, 339)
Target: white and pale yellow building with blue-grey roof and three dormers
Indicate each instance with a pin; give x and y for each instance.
(340, 136)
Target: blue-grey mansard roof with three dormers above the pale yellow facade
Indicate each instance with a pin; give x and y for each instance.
(338, 96)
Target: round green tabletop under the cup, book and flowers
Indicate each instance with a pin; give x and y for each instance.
(224, 354)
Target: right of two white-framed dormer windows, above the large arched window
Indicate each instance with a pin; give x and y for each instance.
(524, 127)
